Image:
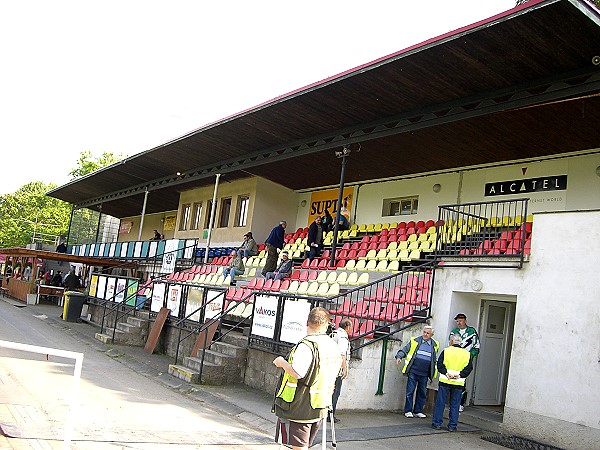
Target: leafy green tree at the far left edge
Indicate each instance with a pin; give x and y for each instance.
(28, 212)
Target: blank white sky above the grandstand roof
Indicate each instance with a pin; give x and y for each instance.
(127, 76)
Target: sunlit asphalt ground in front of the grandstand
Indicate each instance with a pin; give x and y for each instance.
(127, 400)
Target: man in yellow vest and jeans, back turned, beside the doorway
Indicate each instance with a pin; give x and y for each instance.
(454, 365)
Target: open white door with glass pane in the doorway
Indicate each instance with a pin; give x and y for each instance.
(494, 354)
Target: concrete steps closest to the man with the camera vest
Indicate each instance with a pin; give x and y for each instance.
(224, 363)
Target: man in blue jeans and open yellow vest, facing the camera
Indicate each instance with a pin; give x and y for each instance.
(419, 365)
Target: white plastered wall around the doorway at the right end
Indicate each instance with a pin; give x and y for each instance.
(552, 392)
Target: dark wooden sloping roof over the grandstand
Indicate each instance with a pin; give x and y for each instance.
(522, 84)
